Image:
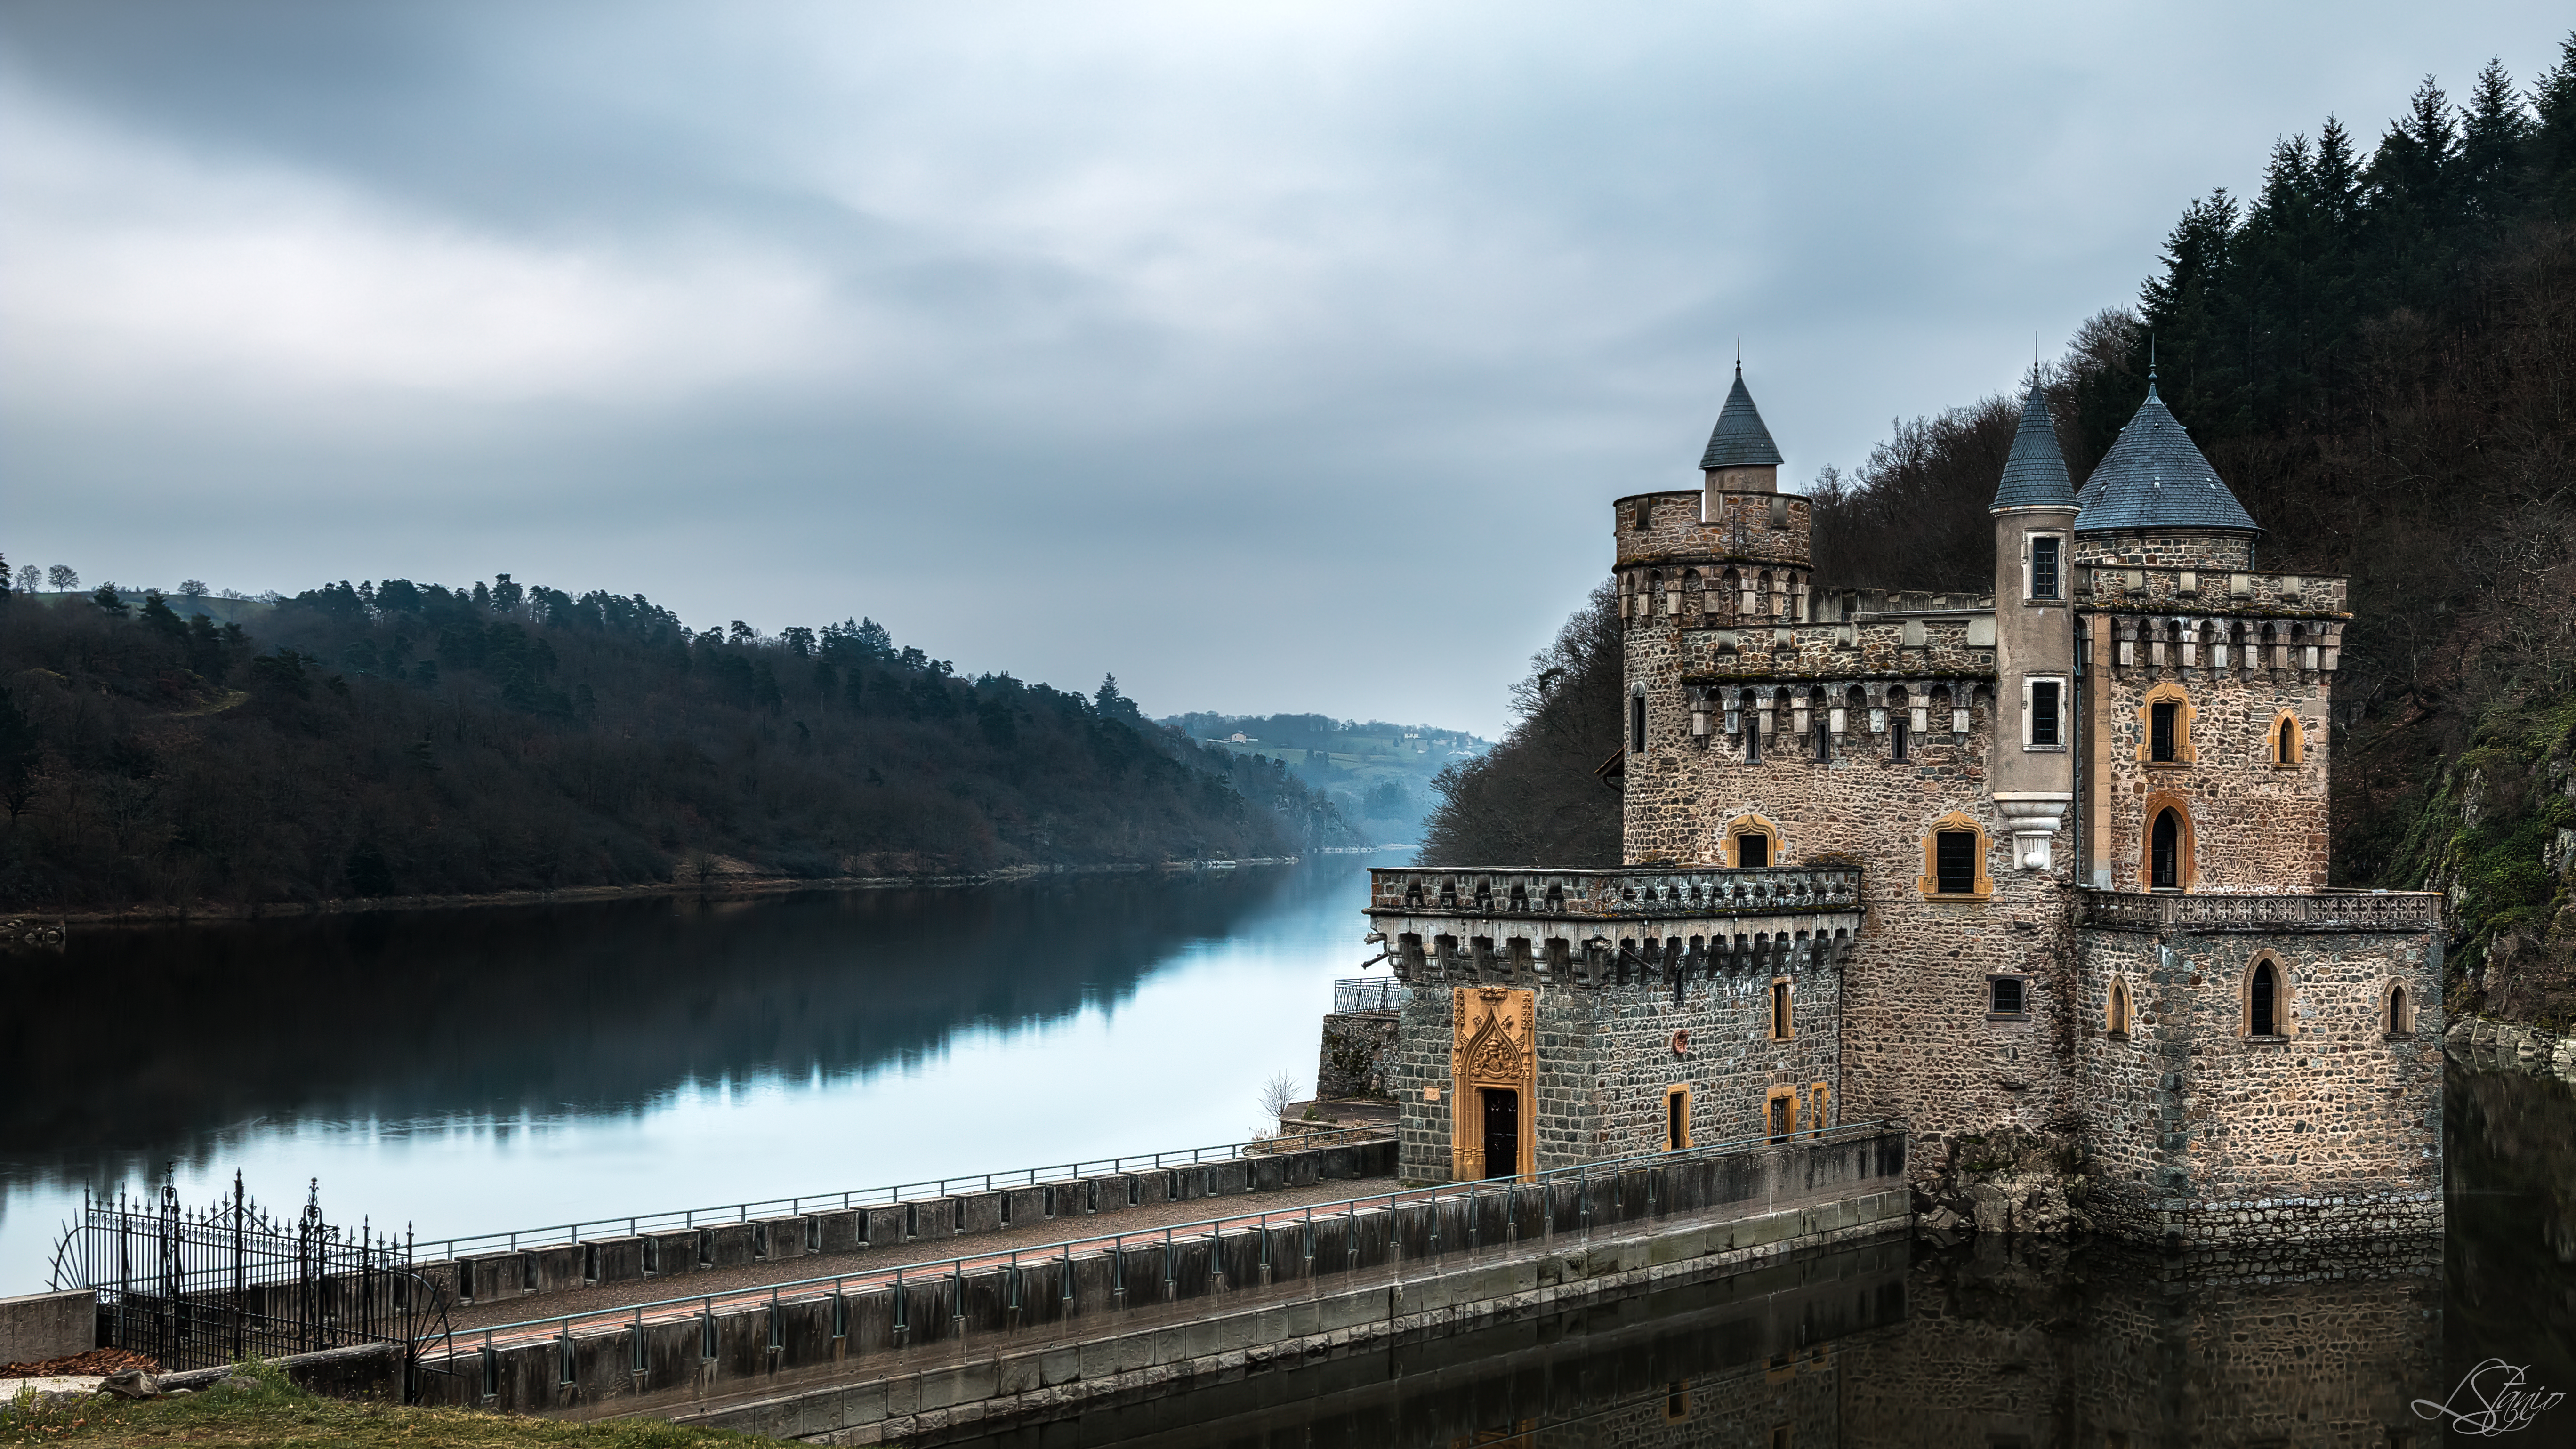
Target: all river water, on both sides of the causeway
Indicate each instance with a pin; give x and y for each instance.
(527, 1066)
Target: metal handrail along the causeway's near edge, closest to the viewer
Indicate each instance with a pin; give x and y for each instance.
(1171, 1234)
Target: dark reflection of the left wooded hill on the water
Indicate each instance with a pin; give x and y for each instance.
(169, 1035)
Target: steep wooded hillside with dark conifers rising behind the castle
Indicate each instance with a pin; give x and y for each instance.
(2379, 355)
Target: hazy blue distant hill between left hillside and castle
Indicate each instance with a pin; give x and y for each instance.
(1377, 775)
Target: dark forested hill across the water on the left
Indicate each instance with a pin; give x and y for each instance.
(393, 739)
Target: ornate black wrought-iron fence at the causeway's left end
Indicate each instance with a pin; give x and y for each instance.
(210, 1288)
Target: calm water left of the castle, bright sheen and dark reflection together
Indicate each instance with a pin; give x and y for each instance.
(522, 1066)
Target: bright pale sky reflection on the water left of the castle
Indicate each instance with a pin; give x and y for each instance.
(1168, 1056)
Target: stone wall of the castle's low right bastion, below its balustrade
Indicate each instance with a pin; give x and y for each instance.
(2209, 1136)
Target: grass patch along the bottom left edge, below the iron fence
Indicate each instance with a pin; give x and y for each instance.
(272, 1412)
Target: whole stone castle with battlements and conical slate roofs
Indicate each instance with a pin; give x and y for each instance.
(2026, 868)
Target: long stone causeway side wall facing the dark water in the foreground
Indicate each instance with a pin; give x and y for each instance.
(880, 1355)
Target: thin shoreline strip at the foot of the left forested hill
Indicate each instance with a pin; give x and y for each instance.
(591, 893)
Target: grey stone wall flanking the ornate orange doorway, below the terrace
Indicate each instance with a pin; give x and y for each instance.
(1606, 1064)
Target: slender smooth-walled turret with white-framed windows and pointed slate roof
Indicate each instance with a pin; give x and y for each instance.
(2034, 638)
